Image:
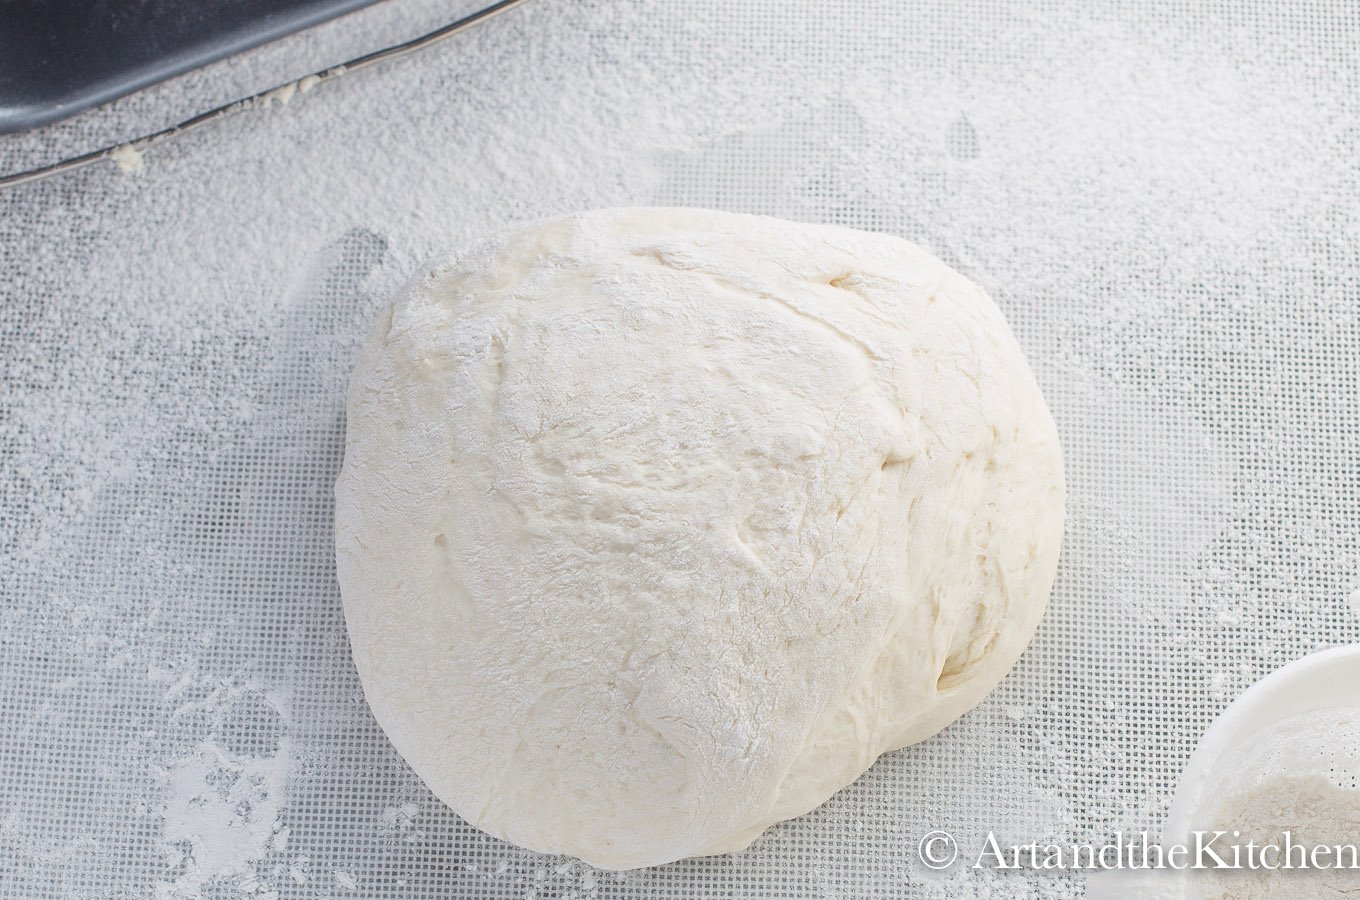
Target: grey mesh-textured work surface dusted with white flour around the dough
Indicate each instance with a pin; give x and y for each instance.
(1166, 207)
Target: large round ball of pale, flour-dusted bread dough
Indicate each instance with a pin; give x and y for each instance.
(659, 527)
